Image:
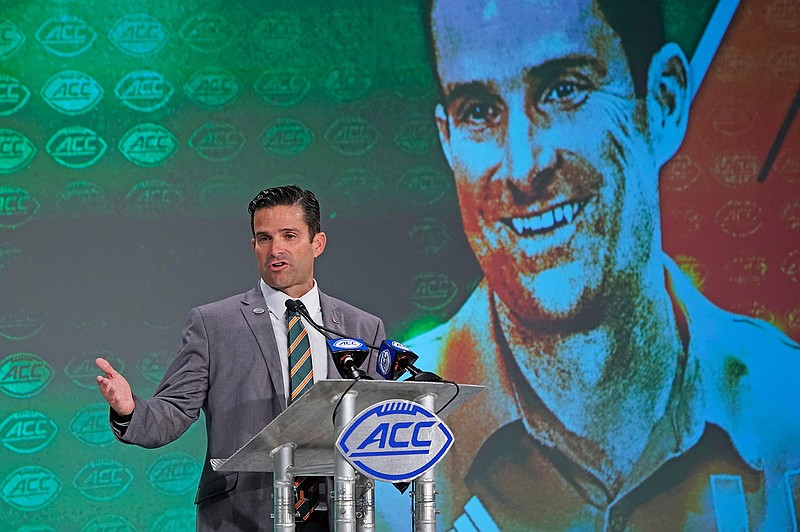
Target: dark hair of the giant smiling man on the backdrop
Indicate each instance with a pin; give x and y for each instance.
(639, 24)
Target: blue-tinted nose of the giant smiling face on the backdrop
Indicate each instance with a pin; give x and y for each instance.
(530, 154)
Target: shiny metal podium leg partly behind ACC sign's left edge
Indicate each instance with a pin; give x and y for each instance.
(344, 477)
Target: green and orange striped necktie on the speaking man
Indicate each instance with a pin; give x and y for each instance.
(301, 378)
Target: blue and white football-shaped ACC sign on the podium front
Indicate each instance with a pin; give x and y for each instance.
(395, 441)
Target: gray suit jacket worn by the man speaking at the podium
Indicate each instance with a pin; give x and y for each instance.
(228, 366)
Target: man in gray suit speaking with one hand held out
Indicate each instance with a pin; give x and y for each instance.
(232, 363)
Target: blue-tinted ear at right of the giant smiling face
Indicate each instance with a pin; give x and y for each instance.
(668, 100)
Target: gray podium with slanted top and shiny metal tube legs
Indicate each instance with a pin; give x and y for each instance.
(301, 441)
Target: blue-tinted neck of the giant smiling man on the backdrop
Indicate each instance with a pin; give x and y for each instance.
(598, 393)
